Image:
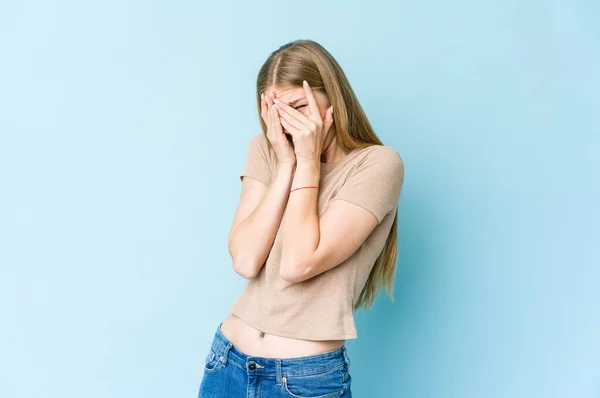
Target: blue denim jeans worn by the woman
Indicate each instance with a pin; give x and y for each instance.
(229, 373)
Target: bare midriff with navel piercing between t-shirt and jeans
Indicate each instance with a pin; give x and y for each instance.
(254, 342)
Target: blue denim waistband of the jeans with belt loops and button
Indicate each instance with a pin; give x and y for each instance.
(298, 366)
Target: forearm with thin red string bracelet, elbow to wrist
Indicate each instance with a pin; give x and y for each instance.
(300, 227)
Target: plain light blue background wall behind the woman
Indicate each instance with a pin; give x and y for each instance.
(124, 126)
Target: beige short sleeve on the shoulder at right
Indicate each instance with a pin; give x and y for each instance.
(375, 183)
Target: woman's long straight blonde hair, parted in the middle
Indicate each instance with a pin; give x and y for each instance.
(307, 60)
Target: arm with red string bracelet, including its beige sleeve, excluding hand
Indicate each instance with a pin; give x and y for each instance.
(312, 245)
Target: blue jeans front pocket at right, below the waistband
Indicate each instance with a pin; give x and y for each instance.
(327, 384)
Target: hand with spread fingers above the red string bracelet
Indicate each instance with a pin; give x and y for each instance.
(308, 133)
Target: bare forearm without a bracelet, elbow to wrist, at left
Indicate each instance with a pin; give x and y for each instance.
(253, 238)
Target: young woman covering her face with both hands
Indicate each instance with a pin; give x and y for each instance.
(315, 234)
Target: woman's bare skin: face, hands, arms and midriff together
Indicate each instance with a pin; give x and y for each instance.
(311, 245)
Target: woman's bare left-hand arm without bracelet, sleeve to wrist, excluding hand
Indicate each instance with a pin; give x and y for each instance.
(257, 220)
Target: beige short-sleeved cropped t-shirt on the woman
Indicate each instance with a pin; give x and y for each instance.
(321, 308)
